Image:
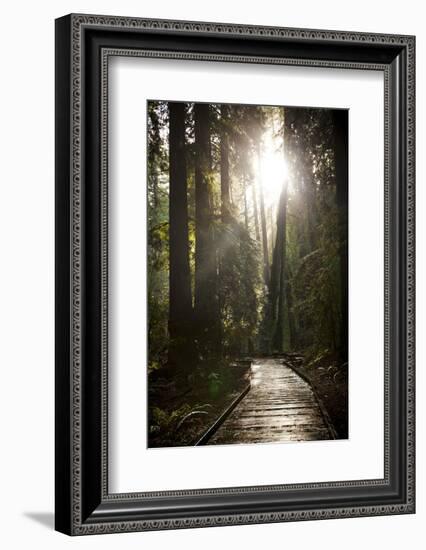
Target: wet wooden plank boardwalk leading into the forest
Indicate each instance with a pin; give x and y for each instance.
(280, 406)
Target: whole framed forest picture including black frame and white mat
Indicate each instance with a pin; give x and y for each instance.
(234, 274)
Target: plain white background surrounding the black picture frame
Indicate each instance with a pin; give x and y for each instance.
(26, 289)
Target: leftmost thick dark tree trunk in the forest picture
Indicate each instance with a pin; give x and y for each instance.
(180, 298)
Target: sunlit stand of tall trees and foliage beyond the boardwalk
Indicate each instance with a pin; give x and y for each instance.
(247, 236)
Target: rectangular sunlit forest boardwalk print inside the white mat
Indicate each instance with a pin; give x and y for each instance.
(247, 270)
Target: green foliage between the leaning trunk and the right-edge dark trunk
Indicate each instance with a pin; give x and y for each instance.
(316, 237)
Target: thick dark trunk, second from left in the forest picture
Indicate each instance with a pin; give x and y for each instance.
(206, 303)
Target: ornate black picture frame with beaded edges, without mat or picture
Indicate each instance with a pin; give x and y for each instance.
(83, 46)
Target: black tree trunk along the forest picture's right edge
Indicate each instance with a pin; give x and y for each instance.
(340, 122)
